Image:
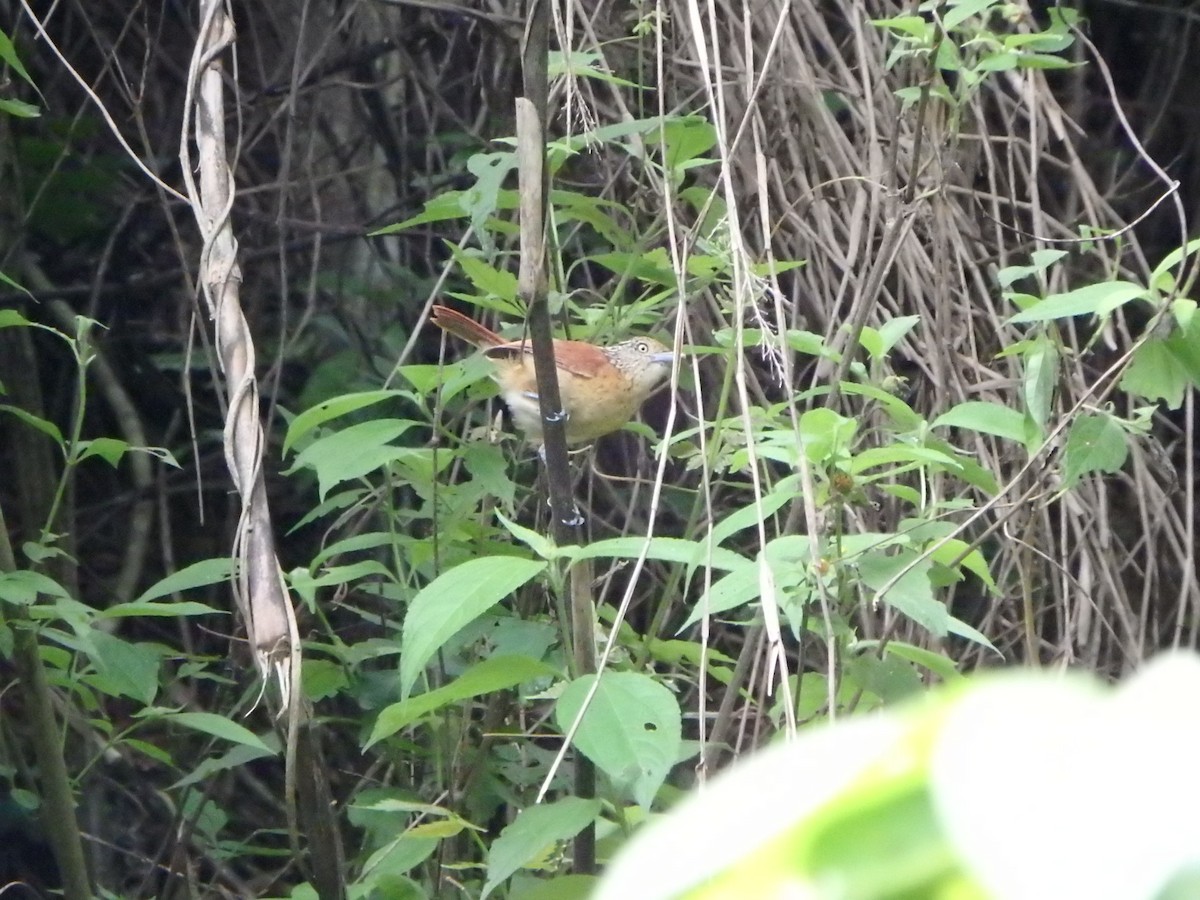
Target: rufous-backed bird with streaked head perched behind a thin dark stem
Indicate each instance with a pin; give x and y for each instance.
(602, 388)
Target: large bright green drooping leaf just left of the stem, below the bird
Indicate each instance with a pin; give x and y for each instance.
(452, 602)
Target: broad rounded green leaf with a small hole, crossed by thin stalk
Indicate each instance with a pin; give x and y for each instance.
(632, 730)
